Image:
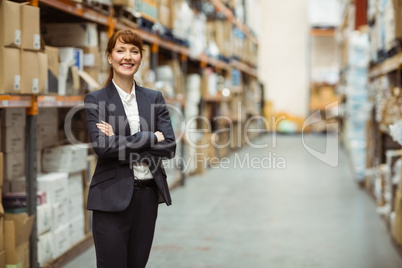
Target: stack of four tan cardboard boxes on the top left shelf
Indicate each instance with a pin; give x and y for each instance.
(22, 66)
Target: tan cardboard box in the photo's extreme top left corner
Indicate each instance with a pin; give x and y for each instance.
(10, 24)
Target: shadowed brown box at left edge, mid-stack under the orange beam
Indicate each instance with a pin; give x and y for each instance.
(12, 139)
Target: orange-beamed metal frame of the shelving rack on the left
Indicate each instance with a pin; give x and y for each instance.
(33, 102)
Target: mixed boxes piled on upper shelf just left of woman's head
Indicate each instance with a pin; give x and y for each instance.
(78, 50)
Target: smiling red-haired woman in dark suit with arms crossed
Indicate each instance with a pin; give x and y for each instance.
(130, 130)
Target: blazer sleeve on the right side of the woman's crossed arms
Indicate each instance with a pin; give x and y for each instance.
(165, 149)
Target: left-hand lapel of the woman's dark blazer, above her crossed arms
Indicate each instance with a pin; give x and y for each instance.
(118, 117)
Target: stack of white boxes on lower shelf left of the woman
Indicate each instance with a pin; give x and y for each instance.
(64, 189)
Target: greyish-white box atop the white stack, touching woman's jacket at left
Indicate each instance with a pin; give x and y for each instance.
(66, 158)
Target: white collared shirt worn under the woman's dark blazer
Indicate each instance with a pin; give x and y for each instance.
(141, 171)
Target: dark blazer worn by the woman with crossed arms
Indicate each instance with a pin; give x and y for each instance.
(112, 184)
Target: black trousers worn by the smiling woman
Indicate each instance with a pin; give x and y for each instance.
(124, 239)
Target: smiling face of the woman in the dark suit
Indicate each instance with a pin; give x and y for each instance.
(125, 60)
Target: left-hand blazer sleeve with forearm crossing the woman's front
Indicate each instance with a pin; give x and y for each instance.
(116, 145)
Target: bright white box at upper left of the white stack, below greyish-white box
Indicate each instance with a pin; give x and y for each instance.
(55, 185)
